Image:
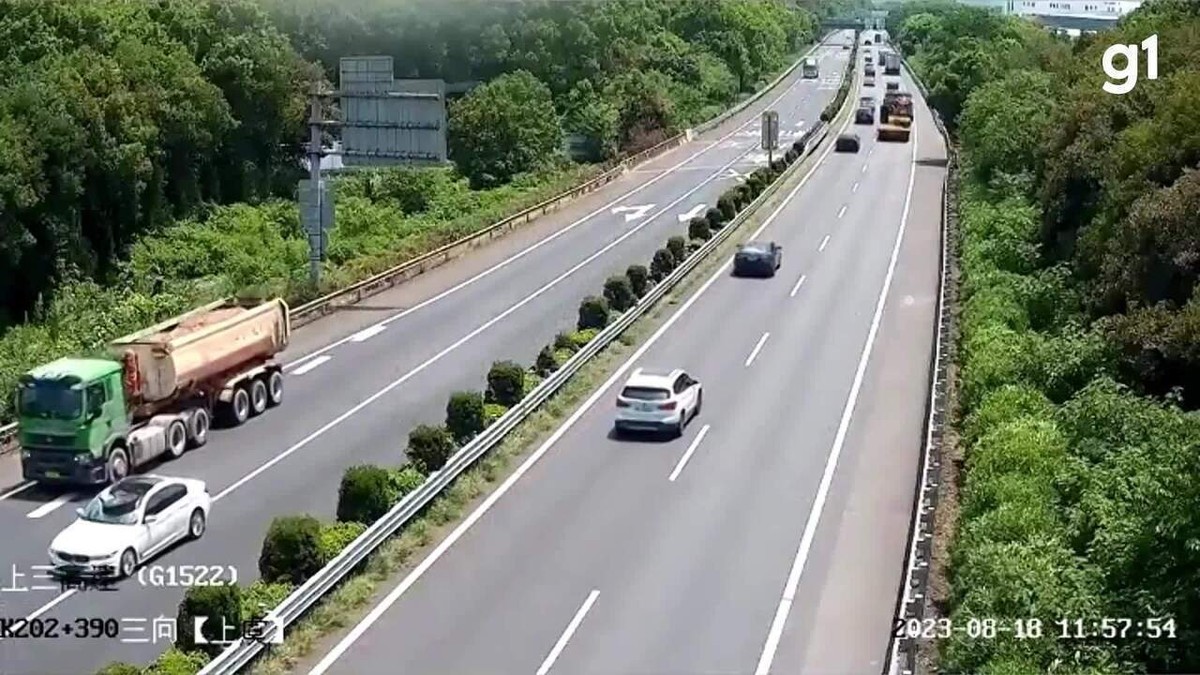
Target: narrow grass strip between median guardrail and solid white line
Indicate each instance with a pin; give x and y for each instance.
(346, 606)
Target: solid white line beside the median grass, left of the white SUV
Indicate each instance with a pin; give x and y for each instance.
(362, 628)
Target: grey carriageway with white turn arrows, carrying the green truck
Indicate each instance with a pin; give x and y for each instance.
(361, 380)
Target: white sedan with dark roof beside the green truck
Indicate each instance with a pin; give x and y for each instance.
(129, 523)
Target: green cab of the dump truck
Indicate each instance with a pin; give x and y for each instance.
(70, 413)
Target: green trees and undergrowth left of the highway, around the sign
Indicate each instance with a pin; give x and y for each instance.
(149, 152)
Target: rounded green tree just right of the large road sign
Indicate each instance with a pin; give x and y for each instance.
(505, 128)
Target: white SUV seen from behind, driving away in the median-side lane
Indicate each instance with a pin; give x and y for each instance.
(658, 401)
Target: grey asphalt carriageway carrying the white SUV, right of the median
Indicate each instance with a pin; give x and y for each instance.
(771, 537)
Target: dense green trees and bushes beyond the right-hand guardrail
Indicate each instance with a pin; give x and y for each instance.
(1078, 375)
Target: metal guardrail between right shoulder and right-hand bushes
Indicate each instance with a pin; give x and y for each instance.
(913, 602)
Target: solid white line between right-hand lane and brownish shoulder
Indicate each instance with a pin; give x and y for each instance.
(794, 578)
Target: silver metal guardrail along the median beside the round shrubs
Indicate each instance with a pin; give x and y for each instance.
(242, 653)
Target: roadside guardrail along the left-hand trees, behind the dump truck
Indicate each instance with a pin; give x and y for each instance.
(358, 291)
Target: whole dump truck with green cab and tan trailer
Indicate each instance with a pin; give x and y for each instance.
(87, 421)
